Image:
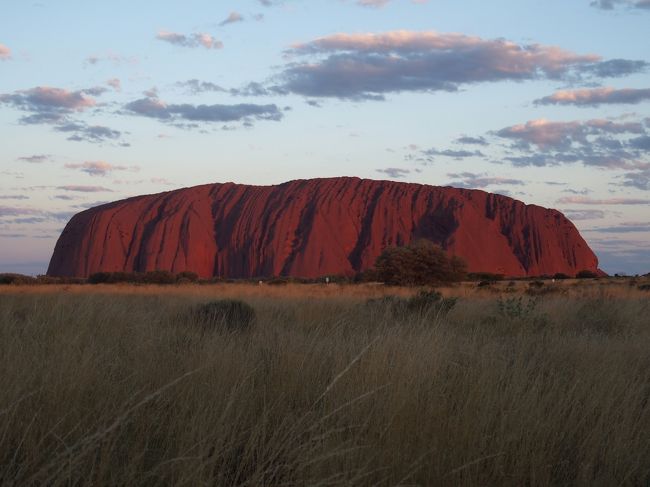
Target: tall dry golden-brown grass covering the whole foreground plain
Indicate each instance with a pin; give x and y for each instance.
(116, 385)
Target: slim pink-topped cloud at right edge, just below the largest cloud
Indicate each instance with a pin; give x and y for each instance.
(595, 97)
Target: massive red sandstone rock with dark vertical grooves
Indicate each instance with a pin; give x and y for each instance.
(312, 228)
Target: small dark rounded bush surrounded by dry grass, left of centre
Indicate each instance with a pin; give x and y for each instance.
(225, 314)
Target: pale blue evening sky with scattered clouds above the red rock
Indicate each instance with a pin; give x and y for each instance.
(544, 101)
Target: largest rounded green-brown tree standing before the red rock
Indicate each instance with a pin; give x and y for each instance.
(420, 263)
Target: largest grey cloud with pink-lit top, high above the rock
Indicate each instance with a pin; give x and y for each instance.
(368, 66)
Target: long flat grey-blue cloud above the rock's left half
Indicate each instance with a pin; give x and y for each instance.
(155, 108)
